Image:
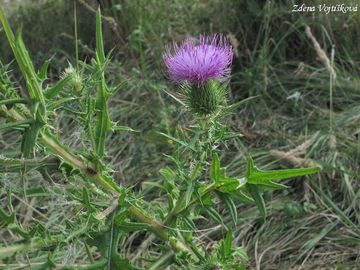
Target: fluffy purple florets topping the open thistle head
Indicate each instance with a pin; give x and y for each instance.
(197, 62)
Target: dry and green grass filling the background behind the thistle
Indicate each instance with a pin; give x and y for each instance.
(313, 225)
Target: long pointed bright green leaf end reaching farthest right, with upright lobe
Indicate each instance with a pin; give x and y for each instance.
(256, 176)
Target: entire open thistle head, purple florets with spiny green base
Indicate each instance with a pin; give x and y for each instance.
(201, 69)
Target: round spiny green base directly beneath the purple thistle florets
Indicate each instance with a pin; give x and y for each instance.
(205, 99)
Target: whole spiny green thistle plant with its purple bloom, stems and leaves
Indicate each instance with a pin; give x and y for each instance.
(192, 185)
